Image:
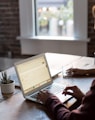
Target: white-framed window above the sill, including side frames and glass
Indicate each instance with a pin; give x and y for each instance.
(77, 20)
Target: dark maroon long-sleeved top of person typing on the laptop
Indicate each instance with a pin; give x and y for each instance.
(86, 111)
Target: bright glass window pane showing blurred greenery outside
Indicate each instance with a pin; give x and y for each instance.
(54, 17)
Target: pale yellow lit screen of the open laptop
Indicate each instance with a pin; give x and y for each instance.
(33, 73)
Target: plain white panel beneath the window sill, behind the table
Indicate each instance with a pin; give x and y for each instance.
(65, 47)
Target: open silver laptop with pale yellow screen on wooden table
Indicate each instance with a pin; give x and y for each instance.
(34, 75)
